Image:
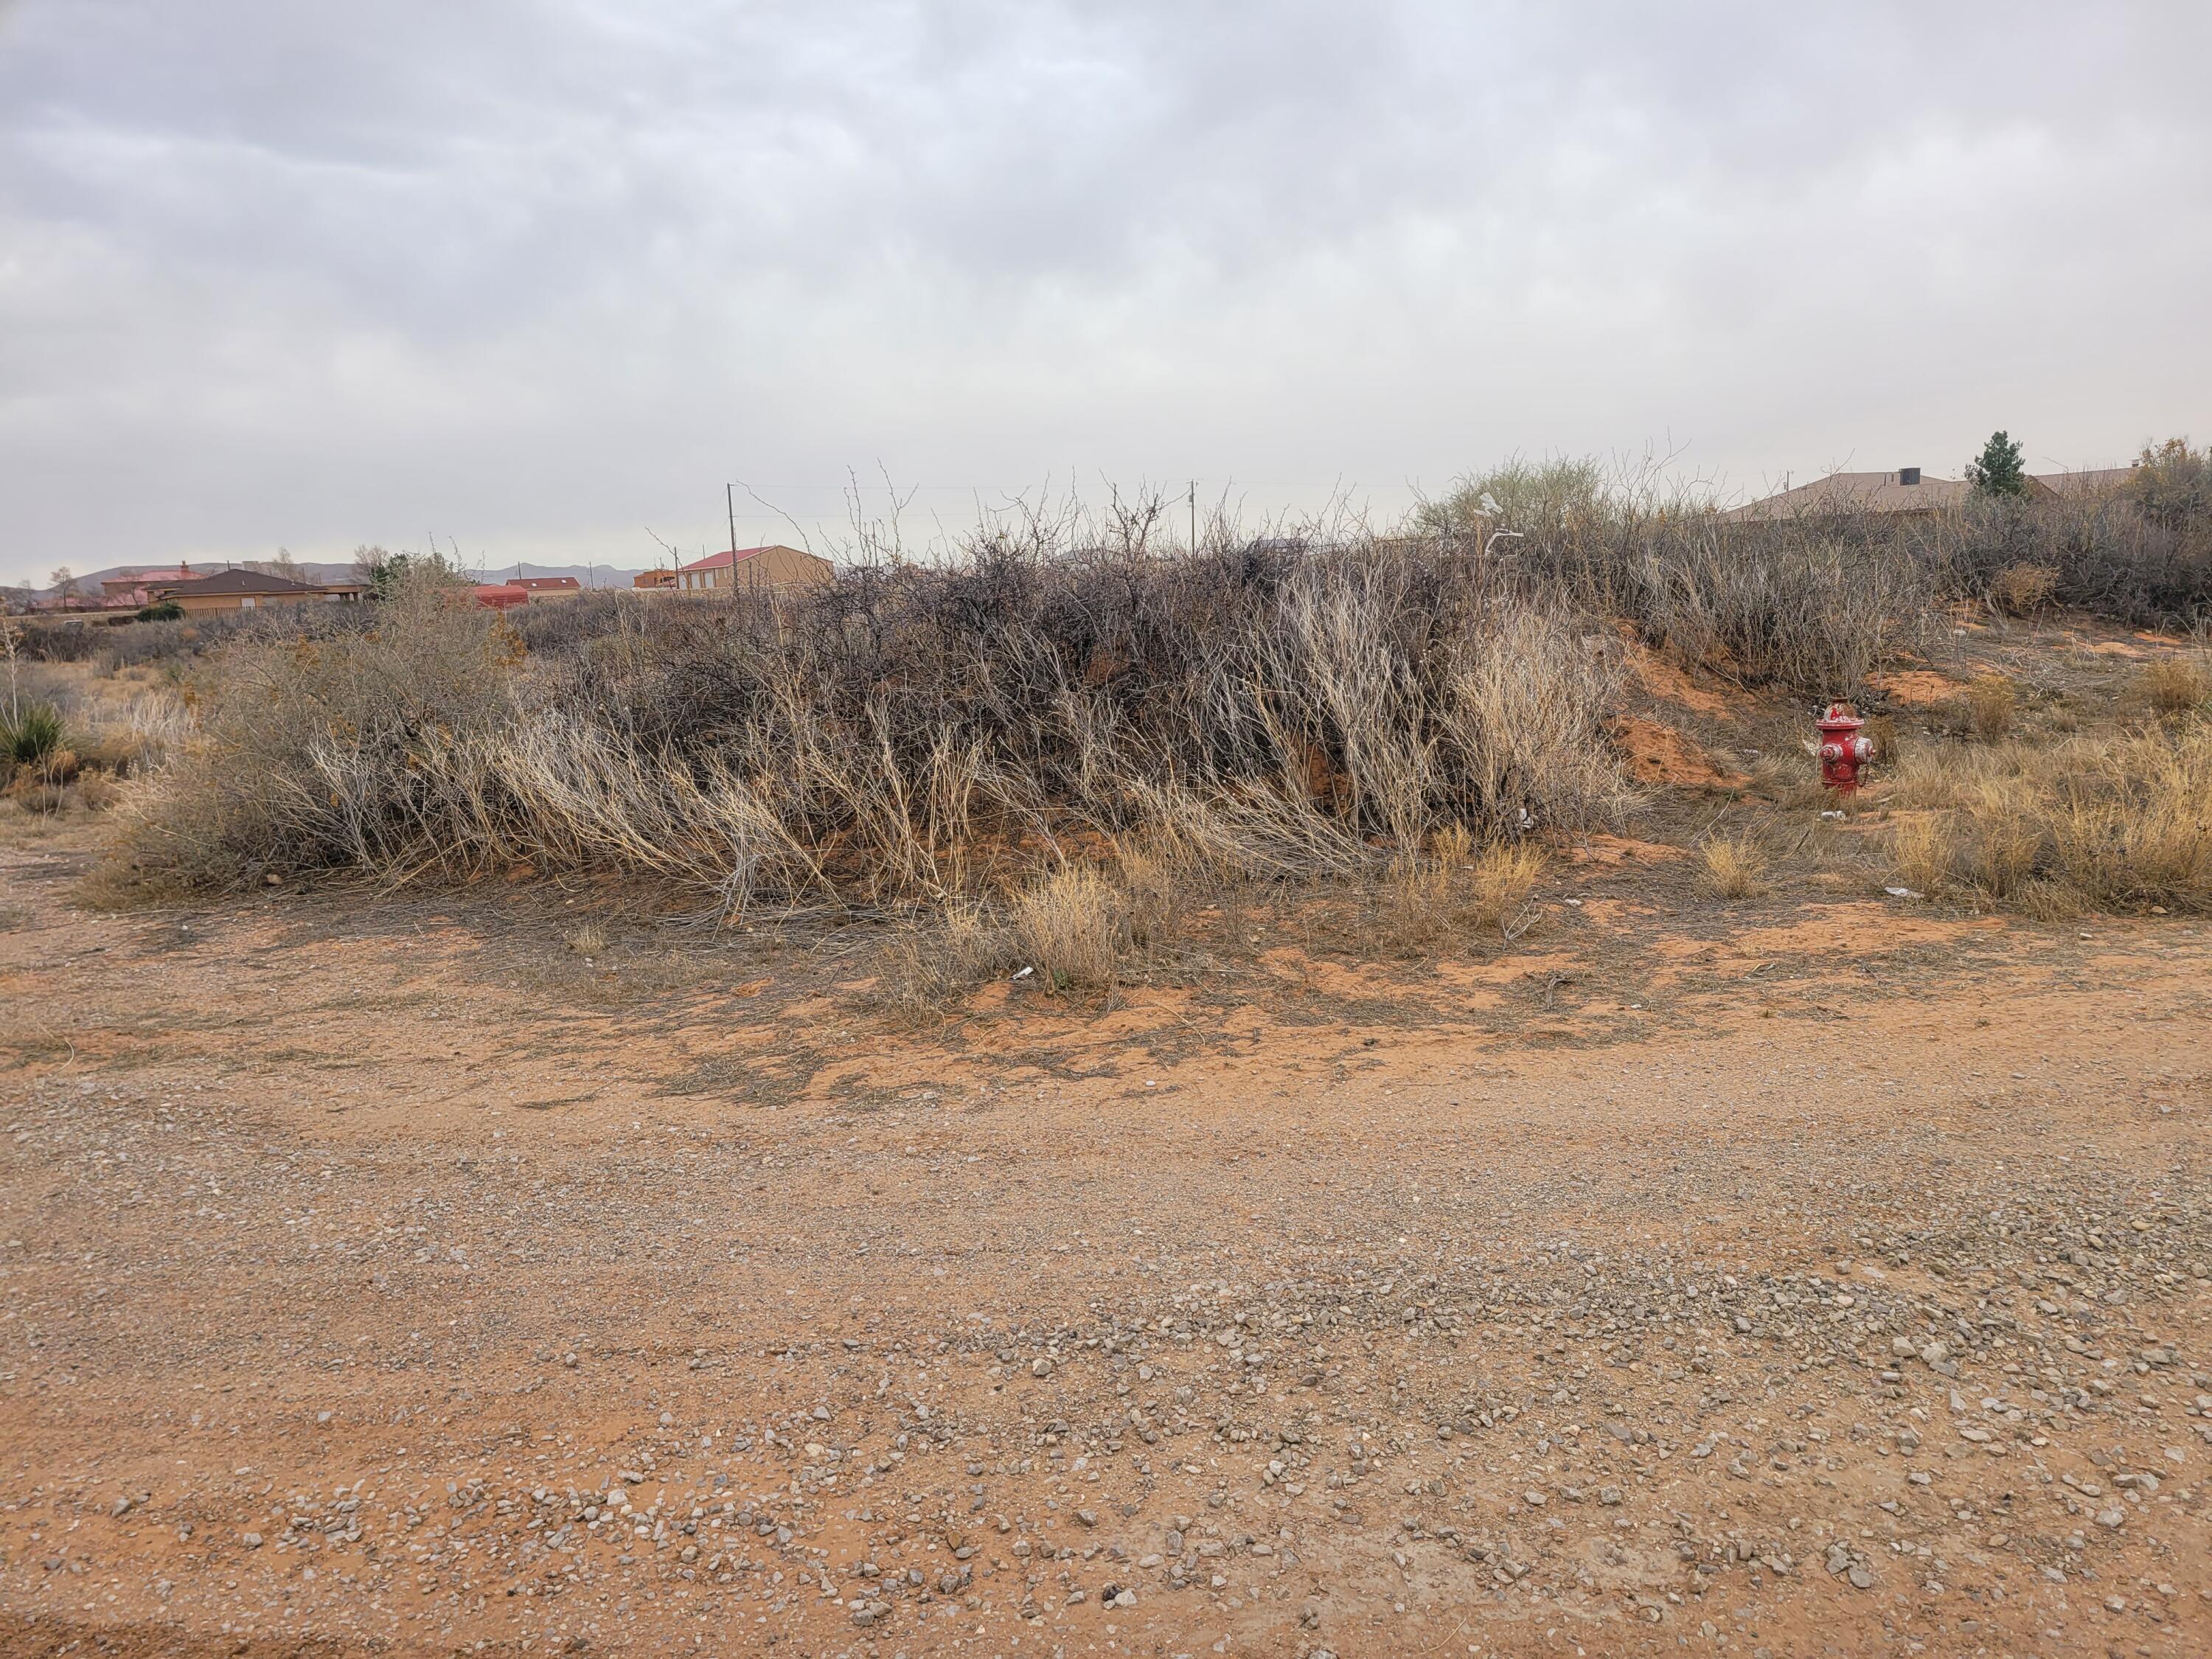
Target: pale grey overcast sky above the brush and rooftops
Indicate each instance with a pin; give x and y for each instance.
(532, 275)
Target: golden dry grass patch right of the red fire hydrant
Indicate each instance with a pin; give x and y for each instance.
(2118, 824)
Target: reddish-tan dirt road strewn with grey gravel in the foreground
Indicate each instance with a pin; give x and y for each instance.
(368, 1295)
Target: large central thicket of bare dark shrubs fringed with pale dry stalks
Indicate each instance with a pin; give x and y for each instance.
(912, 735)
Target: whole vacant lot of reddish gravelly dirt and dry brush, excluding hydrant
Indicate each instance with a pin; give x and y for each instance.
(977, 1116)
